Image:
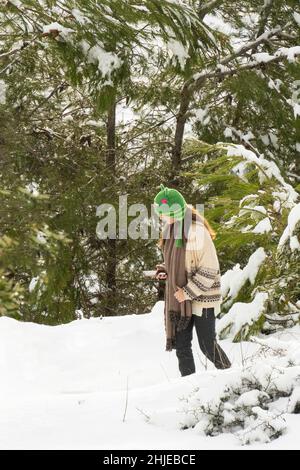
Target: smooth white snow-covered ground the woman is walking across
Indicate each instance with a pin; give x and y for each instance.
(109, 384)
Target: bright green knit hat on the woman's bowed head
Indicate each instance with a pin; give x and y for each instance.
(163, 202)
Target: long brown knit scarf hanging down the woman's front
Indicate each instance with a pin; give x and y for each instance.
(177, 315)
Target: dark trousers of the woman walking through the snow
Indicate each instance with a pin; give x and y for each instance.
(205, 329)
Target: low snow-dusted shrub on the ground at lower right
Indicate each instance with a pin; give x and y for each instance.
(251, 403)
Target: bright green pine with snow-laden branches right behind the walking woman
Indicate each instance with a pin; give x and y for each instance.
(256, 214)
